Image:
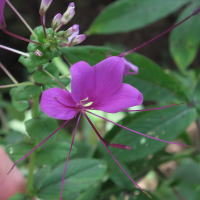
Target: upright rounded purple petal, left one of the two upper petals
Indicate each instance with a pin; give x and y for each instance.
(83, 80)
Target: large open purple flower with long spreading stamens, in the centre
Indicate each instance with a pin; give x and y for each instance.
(93, 88)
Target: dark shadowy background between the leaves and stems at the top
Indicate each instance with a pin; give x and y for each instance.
(86, 12)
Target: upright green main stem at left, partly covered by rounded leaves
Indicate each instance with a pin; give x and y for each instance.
(35, 114)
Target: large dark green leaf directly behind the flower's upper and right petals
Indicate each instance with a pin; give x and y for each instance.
(151, 81)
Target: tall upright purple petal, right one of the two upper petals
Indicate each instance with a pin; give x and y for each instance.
(108, 75)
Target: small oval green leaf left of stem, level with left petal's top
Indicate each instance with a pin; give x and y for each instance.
(28, 92)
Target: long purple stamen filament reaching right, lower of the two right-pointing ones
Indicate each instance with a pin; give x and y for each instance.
(136, 131)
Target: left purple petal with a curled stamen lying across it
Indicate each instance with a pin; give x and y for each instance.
(58, 103)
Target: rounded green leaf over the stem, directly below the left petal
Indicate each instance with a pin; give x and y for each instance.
(40, 128)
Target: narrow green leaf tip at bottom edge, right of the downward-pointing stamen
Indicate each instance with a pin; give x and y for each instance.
(90, 194)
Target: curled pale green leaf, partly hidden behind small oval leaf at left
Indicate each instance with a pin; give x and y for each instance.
(19, 105)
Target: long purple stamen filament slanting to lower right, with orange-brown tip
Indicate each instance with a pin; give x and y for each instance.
(115, 158)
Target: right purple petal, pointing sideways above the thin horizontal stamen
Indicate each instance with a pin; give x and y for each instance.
(126, 96)
